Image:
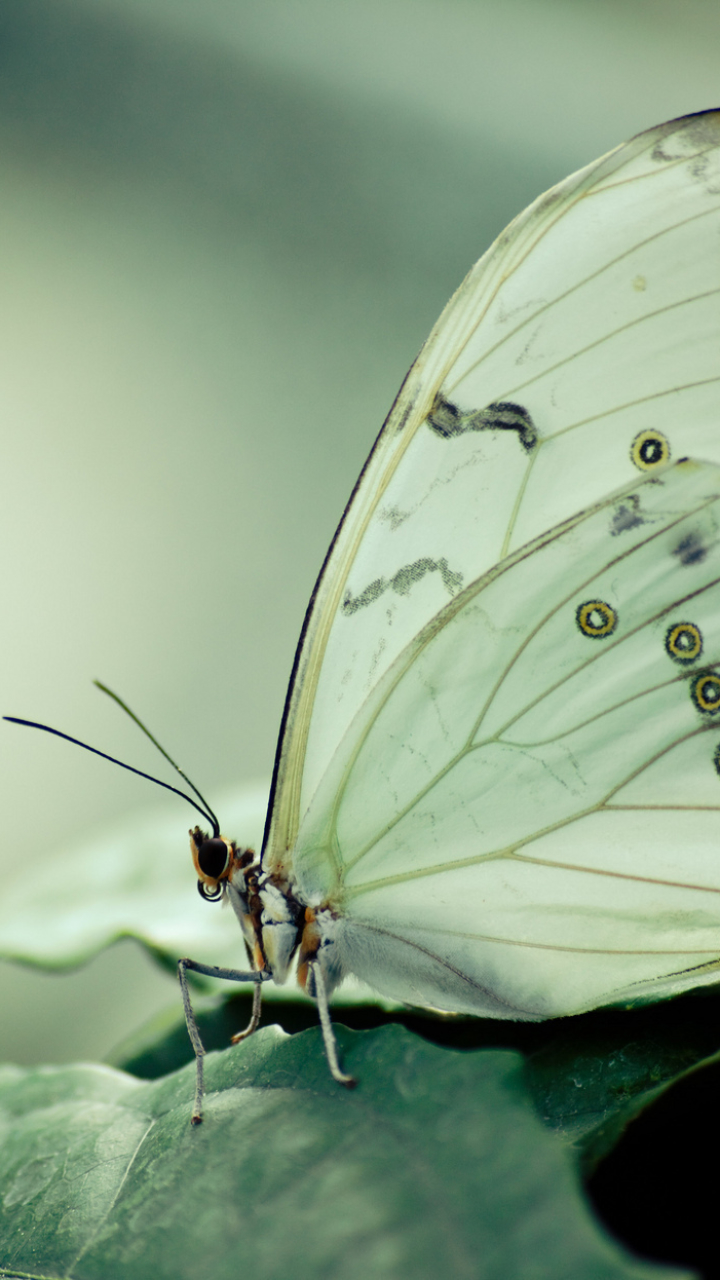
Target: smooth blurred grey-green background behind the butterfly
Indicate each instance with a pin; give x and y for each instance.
(226, 228)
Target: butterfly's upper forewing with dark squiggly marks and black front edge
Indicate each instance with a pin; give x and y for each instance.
(582, 348)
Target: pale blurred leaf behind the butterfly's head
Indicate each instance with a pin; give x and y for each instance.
(135, 879)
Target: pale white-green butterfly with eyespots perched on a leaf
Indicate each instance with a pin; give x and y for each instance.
(498, 783)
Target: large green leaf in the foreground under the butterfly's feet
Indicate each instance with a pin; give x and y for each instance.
(436, 1164)
